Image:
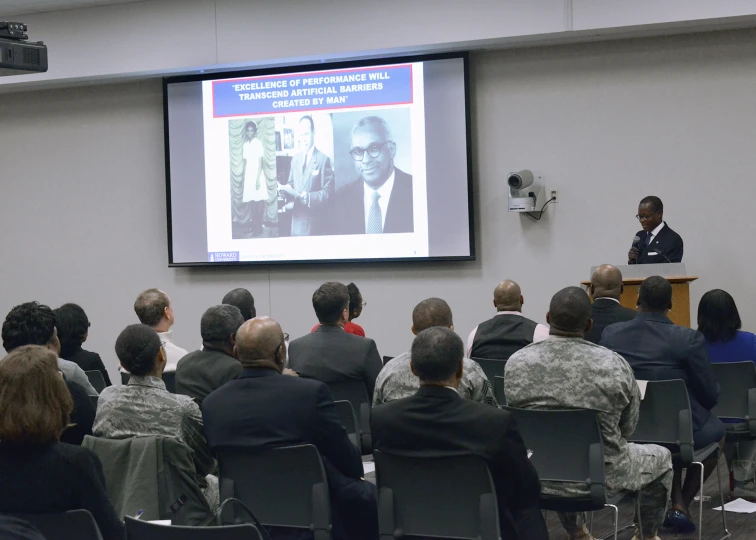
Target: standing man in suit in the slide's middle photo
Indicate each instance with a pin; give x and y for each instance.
(310, 184)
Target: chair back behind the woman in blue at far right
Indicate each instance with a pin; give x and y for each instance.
(737, 396)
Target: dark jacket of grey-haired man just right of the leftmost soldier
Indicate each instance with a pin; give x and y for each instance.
(200, 372)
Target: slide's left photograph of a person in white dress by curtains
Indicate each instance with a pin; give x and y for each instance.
(252, 150)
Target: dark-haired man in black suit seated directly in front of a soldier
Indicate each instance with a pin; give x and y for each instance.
(437, 422)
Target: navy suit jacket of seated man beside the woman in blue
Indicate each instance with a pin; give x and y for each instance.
(657, 350)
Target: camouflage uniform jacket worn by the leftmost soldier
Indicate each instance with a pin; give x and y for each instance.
(143, 408)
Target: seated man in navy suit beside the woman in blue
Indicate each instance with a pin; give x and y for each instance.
(658, 350)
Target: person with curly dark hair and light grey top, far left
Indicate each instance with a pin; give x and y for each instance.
(34, 324)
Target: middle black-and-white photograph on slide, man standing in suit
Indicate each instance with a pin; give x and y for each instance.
(306, 192)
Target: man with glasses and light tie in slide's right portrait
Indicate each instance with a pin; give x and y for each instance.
(380, 201)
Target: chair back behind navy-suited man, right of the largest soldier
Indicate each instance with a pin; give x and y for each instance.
(665, 418)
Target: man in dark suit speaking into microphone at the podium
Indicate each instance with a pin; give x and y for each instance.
(657, 242)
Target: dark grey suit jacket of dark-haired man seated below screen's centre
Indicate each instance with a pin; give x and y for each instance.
(331, 355)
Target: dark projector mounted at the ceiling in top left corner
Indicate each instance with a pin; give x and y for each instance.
(18, 56)
